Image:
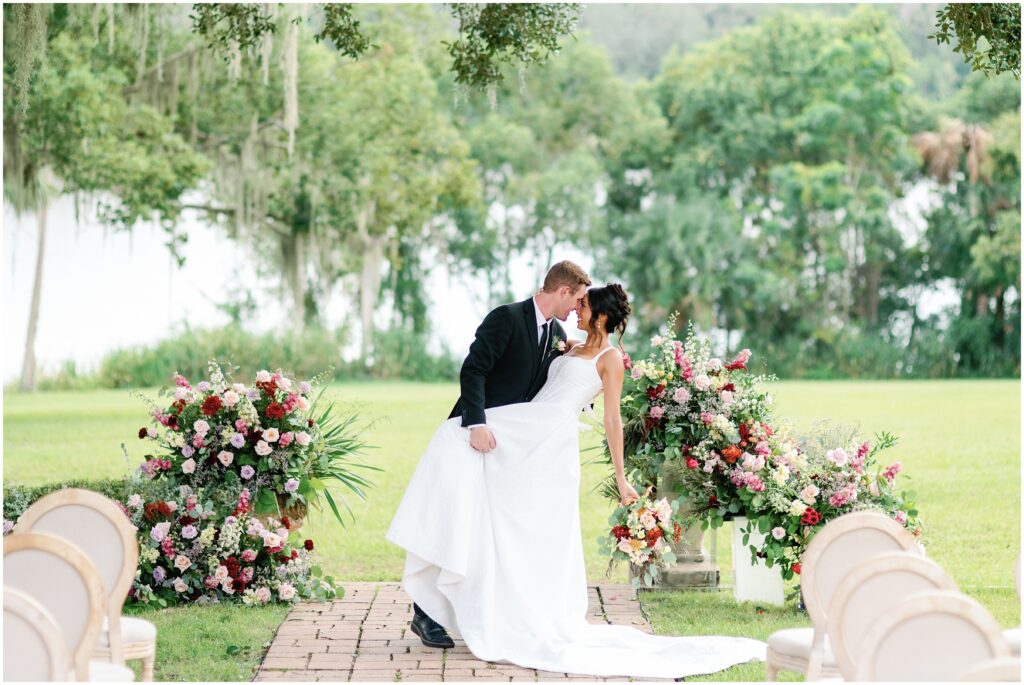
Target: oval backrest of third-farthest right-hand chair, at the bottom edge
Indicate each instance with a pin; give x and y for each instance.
(934, 636)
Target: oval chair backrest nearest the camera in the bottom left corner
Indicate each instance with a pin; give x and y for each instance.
(34, 650)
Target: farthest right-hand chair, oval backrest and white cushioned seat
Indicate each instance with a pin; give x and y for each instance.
(834, 552)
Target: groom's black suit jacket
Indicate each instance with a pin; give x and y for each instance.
(505, 364)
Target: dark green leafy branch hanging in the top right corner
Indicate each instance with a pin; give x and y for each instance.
(989, 35)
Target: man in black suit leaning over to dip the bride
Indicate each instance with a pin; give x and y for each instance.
(507, 364)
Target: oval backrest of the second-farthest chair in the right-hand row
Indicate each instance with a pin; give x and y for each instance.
(870, 591)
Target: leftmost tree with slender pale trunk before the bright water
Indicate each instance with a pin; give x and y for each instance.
(68, 131)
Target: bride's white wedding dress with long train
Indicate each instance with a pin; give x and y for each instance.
(495, 551)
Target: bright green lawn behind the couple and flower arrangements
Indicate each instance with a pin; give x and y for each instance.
(960, 446)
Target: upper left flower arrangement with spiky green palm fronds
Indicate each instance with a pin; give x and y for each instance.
(272, 437)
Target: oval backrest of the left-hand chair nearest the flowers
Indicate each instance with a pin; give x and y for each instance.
(98, 527)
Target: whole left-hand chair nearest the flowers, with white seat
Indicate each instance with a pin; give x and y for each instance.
(100, 529)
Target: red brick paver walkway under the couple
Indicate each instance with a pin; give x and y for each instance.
(366, 637)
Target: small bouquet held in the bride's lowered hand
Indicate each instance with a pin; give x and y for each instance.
(638, 536)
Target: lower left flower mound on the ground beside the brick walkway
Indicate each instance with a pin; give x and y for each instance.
(190, 552)
